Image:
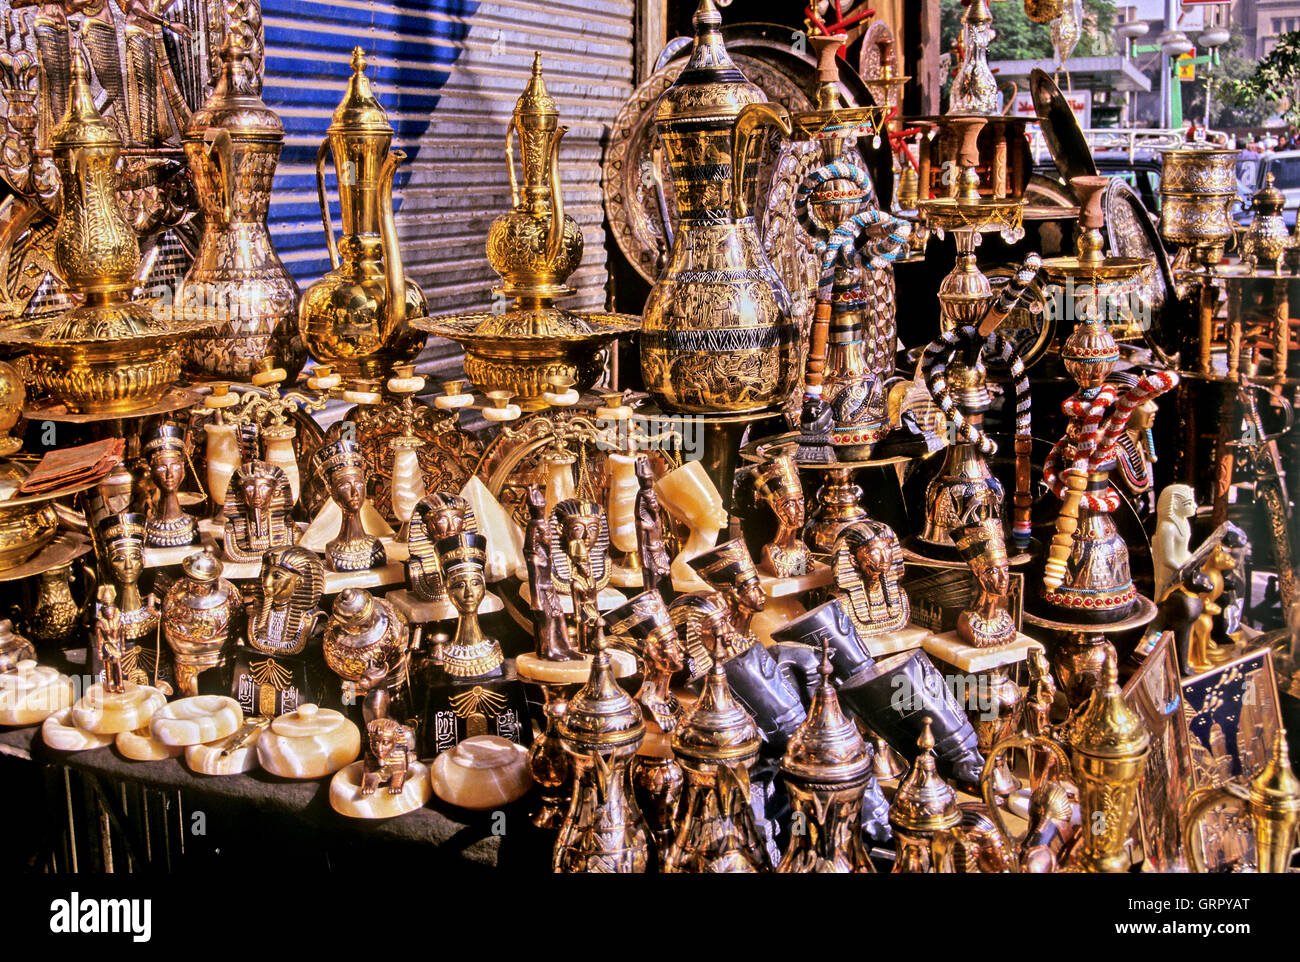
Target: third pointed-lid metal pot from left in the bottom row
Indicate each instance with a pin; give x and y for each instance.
(827, 772)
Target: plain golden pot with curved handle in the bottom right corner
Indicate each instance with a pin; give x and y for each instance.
(1272, 804)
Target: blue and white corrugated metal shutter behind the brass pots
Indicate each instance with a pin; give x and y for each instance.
(449, 73)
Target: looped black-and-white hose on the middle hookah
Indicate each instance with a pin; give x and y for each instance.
(934, 369)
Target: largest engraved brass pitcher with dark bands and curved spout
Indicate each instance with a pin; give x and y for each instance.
(717, 335)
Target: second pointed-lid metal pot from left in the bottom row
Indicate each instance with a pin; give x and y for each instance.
(714, 827)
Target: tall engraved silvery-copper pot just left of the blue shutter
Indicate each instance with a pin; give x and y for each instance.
(233, 144)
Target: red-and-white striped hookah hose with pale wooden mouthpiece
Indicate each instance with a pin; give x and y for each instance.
(1097, 440)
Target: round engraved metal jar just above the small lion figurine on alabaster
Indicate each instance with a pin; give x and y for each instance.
(366, 643)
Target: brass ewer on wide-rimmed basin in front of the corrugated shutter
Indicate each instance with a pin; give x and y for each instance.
(534, 248)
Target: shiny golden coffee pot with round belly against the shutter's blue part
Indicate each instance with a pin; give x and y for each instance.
(357, 317)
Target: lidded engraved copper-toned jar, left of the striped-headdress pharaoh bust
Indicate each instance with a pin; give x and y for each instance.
(201, 614)
